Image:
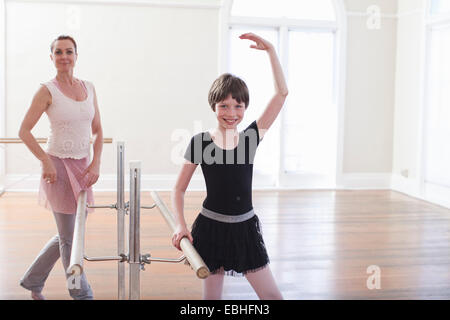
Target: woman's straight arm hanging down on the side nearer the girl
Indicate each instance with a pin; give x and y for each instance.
(93, 170)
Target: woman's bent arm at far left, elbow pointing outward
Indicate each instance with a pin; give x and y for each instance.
(41, 100)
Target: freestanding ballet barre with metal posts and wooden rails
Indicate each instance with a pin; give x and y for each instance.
(134, 258)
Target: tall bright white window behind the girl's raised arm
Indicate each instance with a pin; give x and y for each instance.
(302, 143)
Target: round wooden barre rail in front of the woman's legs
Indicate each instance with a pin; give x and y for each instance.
(77, 254)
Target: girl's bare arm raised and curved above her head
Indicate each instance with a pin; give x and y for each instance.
(281, 91)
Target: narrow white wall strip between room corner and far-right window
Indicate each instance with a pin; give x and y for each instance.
(408, 100)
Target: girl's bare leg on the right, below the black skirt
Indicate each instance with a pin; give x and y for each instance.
(264, 284)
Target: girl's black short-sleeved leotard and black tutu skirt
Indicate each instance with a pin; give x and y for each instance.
(228, 248)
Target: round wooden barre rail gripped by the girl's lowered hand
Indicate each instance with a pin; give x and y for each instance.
(189, 251)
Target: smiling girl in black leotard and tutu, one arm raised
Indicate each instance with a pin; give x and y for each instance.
(227, 233)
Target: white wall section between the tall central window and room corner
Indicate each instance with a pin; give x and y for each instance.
(370, 90)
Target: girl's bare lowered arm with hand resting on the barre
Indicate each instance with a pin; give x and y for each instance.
(187, 170)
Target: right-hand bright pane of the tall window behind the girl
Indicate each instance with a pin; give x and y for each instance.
(310, 118)
